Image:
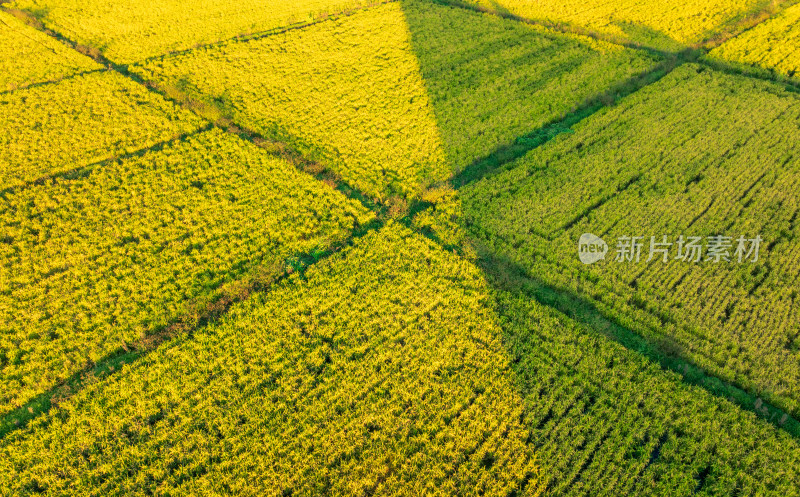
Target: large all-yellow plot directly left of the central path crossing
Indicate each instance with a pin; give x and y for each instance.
(119, 252)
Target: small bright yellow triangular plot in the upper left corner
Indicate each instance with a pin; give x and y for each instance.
(29, 56)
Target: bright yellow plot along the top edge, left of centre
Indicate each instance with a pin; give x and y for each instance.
(130, 31)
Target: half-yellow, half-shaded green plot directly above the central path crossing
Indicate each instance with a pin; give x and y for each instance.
(402, 95)
